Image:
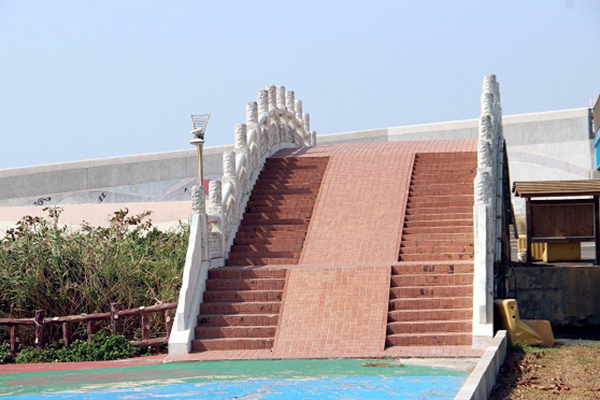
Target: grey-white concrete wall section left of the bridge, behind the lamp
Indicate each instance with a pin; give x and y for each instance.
(140, 178)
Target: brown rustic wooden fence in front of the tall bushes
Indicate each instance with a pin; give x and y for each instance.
(115, 316)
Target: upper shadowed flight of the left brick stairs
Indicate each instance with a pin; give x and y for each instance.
(274, 225)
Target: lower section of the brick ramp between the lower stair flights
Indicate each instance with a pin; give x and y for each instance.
(333, 311)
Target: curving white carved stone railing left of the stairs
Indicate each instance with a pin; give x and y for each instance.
(275, 121)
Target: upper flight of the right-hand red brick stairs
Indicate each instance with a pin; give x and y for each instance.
(438, 223)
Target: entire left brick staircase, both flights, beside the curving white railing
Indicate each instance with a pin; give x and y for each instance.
(242, 300)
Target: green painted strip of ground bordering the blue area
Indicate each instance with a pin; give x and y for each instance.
(209, 371)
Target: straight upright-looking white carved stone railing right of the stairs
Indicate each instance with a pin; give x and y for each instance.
(491, 211)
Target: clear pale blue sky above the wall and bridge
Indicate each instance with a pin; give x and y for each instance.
(93, 79)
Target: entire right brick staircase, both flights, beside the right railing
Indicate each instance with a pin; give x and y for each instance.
(431, 293)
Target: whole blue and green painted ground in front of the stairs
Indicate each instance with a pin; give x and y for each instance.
(259, 379)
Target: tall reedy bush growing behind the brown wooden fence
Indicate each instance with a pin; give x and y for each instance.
(45, 266)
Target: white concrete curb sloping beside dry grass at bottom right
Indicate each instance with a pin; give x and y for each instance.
(481, 381)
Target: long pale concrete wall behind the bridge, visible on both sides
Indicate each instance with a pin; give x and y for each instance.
(547, 145)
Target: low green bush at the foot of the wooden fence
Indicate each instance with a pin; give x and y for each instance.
(102, 348)
